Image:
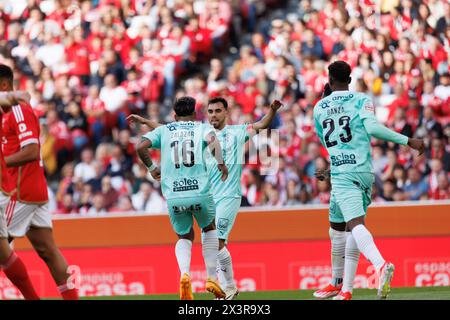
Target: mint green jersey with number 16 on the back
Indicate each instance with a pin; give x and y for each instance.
(183, 163)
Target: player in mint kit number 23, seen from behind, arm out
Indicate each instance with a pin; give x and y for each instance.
(345, 122)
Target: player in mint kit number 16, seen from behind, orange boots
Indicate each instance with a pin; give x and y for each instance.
(185, 184)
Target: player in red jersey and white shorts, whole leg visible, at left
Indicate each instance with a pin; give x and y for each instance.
(27, 210)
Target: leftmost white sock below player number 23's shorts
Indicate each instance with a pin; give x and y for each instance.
(337, 256)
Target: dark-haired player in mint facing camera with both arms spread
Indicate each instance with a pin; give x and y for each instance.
(227, 195)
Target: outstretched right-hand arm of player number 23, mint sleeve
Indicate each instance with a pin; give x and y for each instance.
(379, 131)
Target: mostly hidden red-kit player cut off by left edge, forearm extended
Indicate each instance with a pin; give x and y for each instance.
(10, 262)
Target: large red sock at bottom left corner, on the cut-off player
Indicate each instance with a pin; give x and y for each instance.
(16, 272)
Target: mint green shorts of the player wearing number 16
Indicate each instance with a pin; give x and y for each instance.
(183, 210)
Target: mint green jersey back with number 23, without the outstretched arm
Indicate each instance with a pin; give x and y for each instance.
(339, 120)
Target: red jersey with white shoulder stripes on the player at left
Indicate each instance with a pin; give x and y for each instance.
(21, 128)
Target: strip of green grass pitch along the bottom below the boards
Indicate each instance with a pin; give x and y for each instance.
(424, 293)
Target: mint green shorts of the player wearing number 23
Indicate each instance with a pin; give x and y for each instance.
(350, 196)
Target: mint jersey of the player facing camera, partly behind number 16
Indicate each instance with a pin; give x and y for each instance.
(232, 139)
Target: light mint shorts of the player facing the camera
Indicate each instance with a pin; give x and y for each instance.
(226, 212)
